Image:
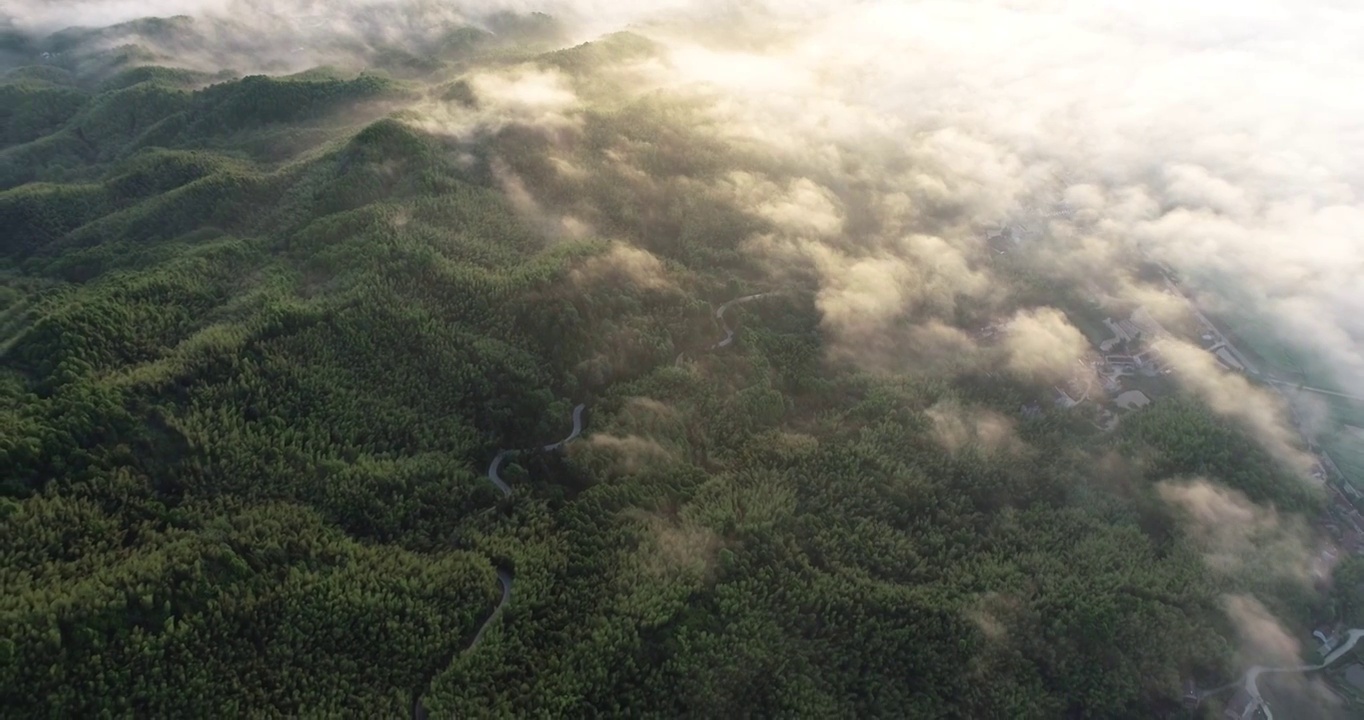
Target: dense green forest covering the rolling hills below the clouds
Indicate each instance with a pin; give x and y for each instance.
(263, 336)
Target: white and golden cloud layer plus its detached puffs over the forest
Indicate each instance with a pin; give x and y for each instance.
(1221, 137)
